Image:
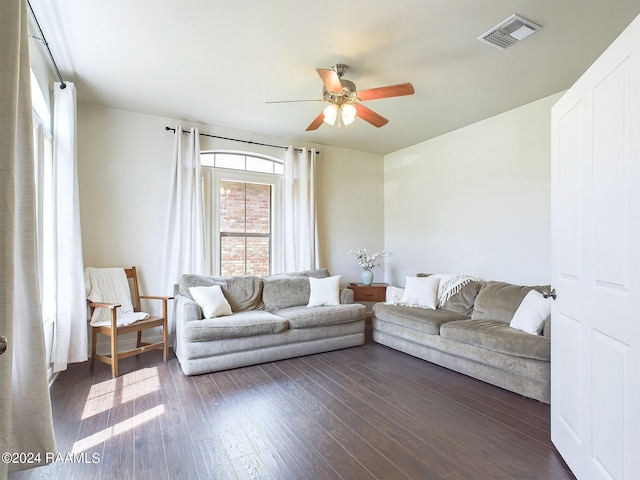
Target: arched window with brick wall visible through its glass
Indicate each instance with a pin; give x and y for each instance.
(242, 208)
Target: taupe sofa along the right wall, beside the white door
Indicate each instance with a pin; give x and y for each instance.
(470, 333)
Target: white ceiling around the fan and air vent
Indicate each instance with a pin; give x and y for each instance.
(217, 62)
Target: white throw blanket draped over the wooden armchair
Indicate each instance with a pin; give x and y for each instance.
(110, 285)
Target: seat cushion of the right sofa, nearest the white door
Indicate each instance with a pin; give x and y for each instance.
(498, 337)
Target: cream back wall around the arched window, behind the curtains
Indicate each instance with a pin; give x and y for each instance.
(124, 170)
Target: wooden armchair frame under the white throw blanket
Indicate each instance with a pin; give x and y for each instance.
(114, 331)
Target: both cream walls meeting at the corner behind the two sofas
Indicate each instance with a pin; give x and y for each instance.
(475, 200)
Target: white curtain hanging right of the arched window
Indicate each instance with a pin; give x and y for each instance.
(300, 222)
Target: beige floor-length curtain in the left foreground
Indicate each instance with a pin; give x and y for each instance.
(25, 409)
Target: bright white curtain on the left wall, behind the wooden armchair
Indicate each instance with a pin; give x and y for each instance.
(70, 340)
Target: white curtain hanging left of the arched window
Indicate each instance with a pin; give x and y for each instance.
(184, 241)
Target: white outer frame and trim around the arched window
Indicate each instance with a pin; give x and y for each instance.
(211, 180)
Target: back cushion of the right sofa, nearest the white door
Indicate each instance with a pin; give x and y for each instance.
(500, 300)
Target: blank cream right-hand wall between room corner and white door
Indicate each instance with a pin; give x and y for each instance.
(475, 200)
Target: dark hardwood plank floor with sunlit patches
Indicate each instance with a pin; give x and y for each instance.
(361, 413)
